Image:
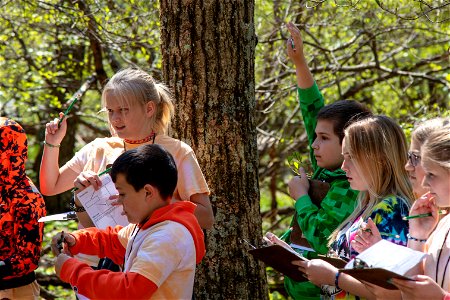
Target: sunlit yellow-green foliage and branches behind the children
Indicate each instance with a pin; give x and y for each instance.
(391, 55)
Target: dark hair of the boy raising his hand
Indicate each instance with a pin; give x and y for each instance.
(342, 113)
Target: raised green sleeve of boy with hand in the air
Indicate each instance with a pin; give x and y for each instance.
(311, 101)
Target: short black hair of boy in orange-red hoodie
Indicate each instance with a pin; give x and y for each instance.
(147, 164)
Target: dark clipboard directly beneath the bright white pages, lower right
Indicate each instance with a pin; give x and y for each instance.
(377, 276)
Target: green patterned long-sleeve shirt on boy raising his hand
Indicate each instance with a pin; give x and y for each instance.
(317, 223)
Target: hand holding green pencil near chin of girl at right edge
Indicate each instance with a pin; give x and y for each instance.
(421, 228)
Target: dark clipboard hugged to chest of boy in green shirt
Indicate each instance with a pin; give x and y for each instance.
(317, 191)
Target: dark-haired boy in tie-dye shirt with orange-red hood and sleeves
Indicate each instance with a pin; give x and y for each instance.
(158, 251)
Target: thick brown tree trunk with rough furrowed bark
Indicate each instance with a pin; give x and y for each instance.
(208, 52)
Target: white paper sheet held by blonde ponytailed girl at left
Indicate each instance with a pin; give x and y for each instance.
(98, 206)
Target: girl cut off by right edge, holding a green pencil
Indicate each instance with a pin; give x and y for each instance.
(435, 283)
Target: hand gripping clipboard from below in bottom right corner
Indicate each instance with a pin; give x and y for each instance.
(423, 287)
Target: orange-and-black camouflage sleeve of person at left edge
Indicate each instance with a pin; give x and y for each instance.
(28, 233)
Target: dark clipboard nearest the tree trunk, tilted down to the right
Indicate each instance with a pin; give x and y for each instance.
(280, 259)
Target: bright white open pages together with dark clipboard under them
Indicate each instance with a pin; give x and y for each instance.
(383, 261)
